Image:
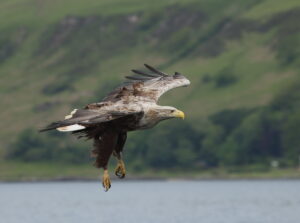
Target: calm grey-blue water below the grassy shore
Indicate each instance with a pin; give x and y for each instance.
(152, 202)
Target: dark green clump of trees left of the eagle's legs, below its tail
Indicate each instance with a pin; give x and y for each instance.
(32, 146)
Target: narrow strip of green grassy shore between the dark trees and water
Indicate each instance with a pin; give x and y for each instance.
(46, 172)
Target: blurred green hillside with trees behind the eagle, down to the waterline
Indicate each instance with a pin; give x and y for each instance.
(242, 108)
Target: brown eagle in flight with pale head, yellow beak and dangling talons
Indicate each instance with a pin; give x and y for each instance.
(130, 107)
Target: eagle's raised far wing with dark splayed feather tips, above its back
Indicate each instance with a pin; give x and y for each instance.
(147, 85)
